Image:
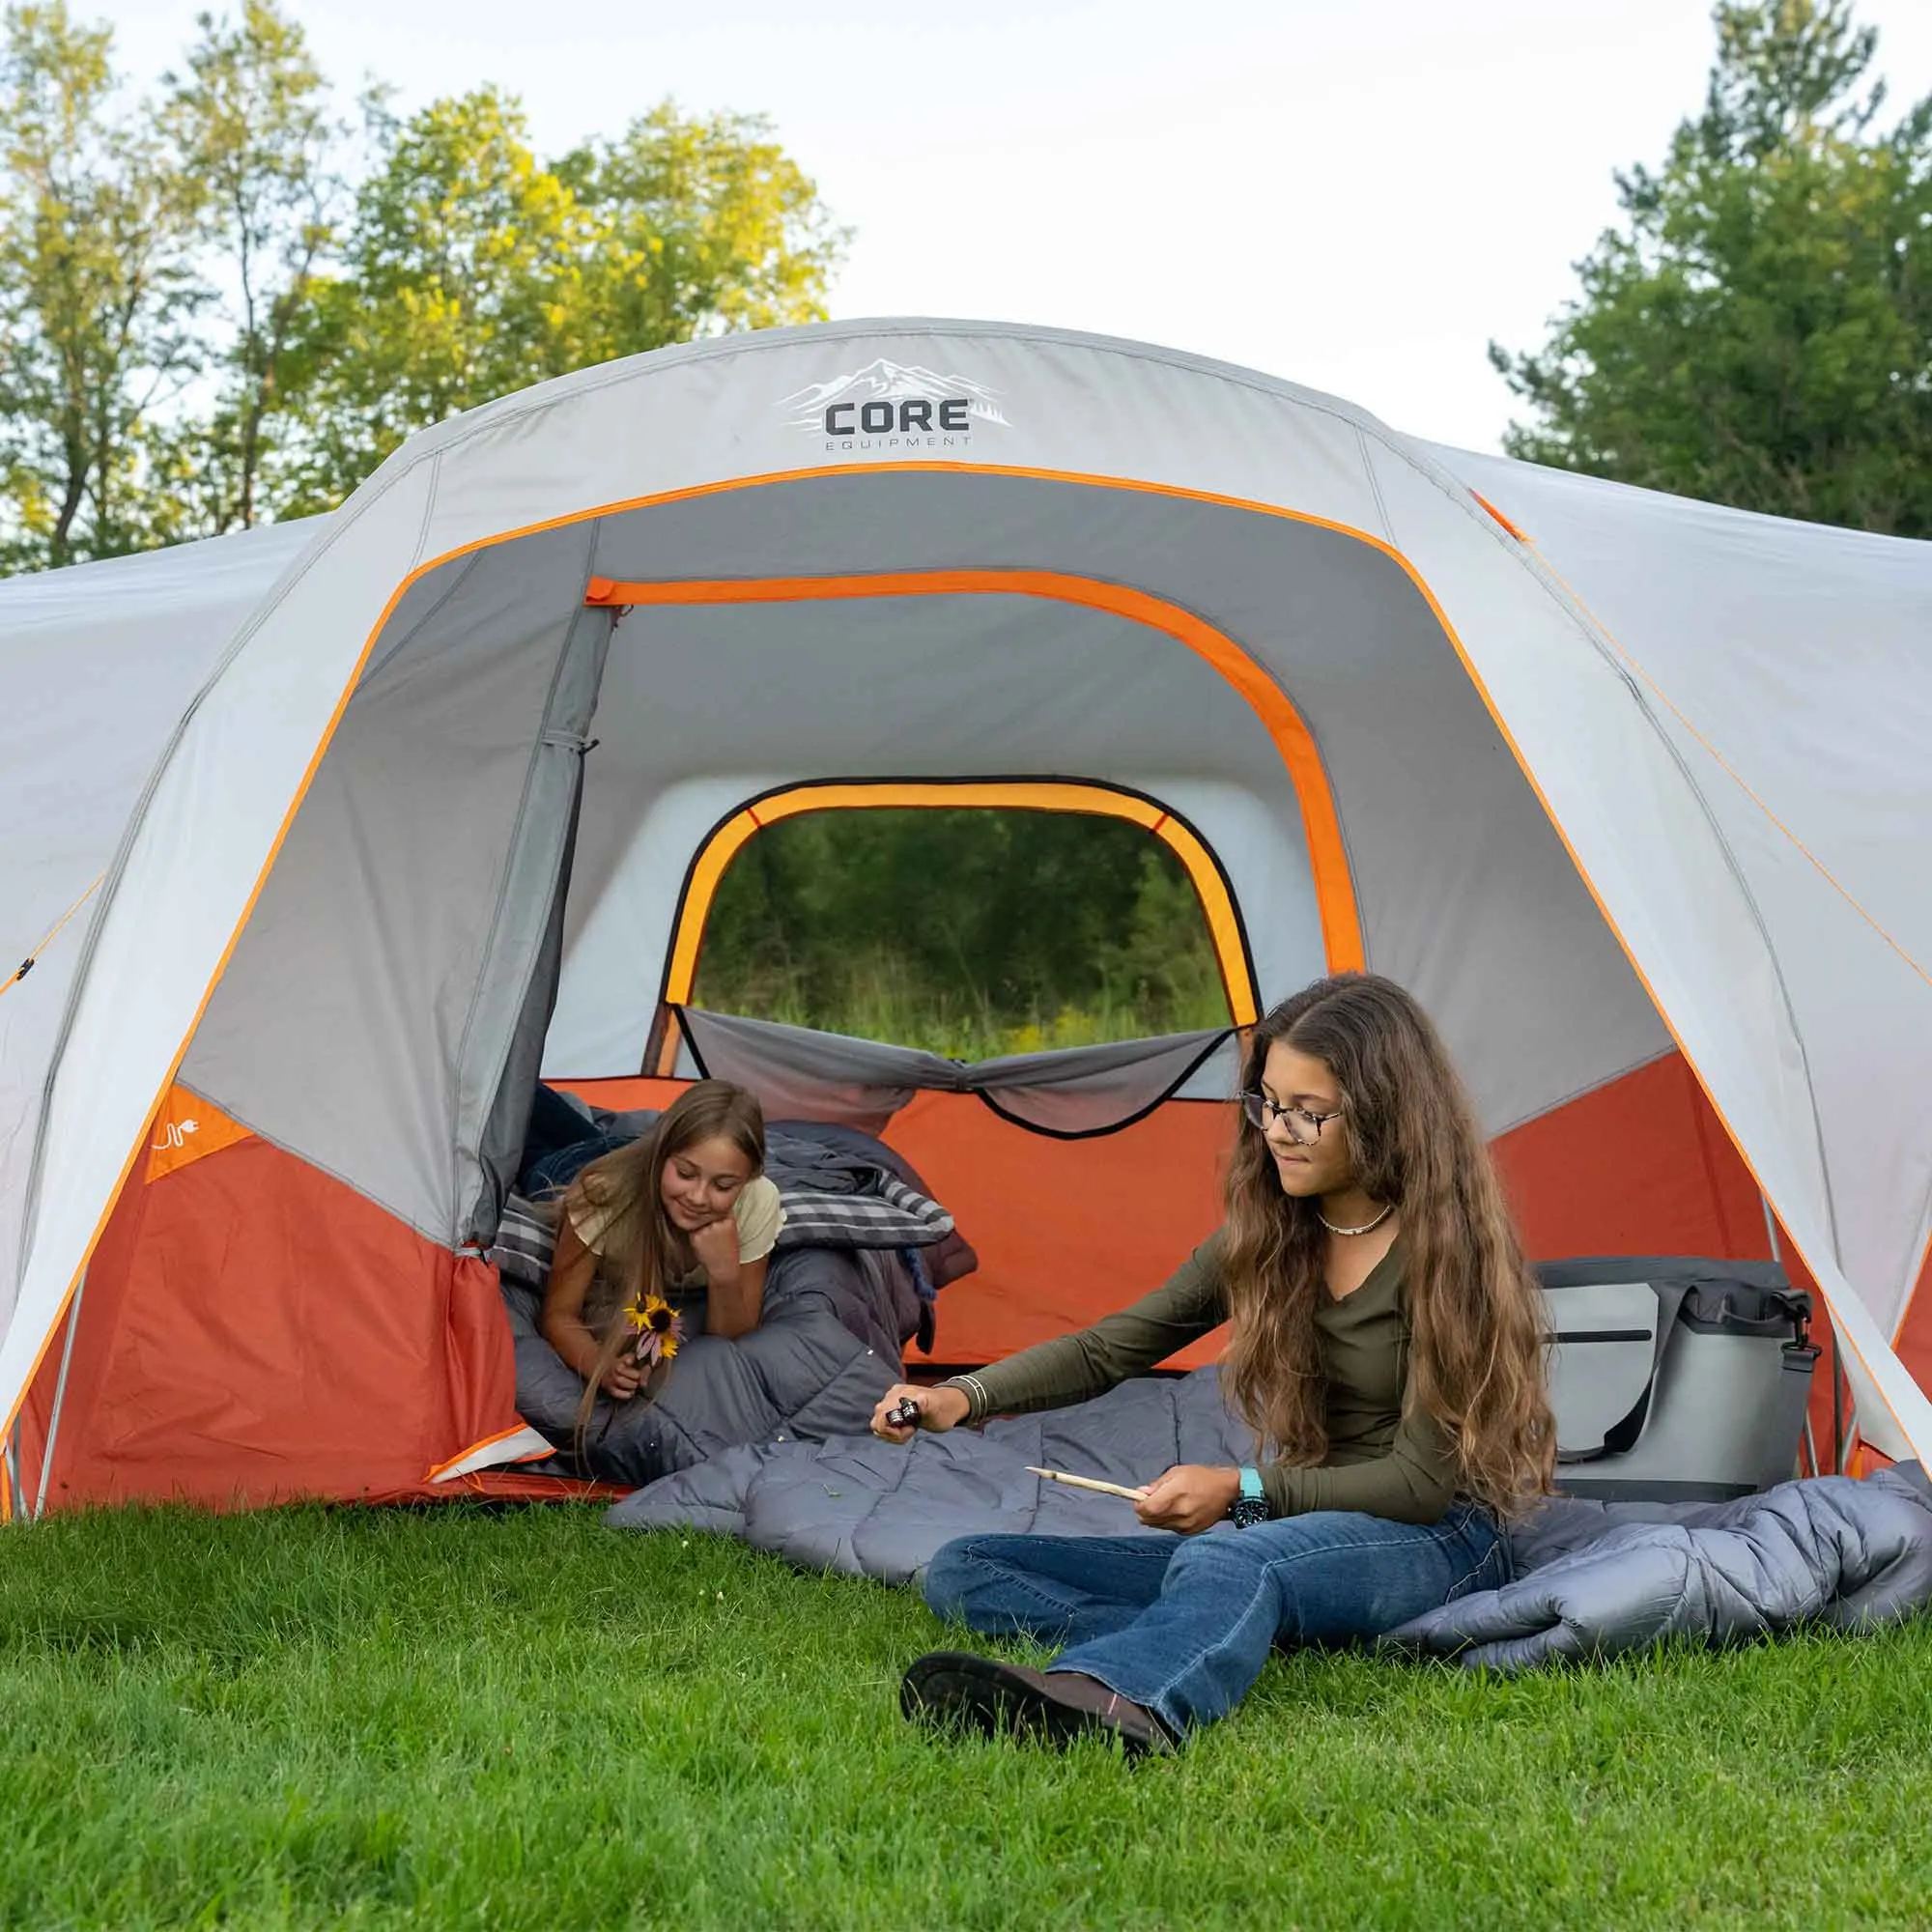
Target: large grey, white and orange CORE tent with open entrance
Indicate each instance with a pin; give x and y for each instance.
(326, 841)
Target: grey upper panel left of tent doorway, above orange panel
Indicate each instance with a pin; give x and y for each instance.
(384, 923)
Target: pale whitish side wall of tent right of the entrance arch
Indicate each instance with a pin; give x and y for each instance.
(1788, 669)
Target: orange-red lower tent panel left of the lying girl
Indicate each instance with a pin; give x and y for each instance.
(254, 1330)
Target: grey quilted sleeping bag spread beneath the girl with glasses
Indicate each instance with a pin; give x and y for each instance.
(1593, 1579)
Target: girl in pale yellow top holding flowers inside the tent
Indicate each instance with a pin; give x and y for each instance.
(685, 1216)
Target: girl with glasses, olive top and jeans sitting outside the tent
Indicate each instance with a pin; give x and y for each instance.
(1388, 1350)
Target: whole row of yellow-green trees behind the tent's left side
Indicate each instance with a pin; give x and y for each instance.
(208, 322)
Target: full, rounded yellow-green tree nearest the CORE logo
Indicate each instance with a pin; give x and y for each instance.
(472, 270)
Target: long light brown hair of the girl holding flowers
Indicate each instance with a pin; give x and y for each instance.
(639, 1241)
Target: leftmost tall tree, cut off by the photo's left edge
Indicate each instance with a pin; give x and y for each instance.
(98, 295)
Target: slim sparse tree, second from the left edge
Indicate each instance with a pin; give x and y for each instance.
(258, 140)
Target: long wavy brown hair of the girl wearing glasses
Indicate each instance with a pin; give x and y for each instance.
(1475, 1315)
